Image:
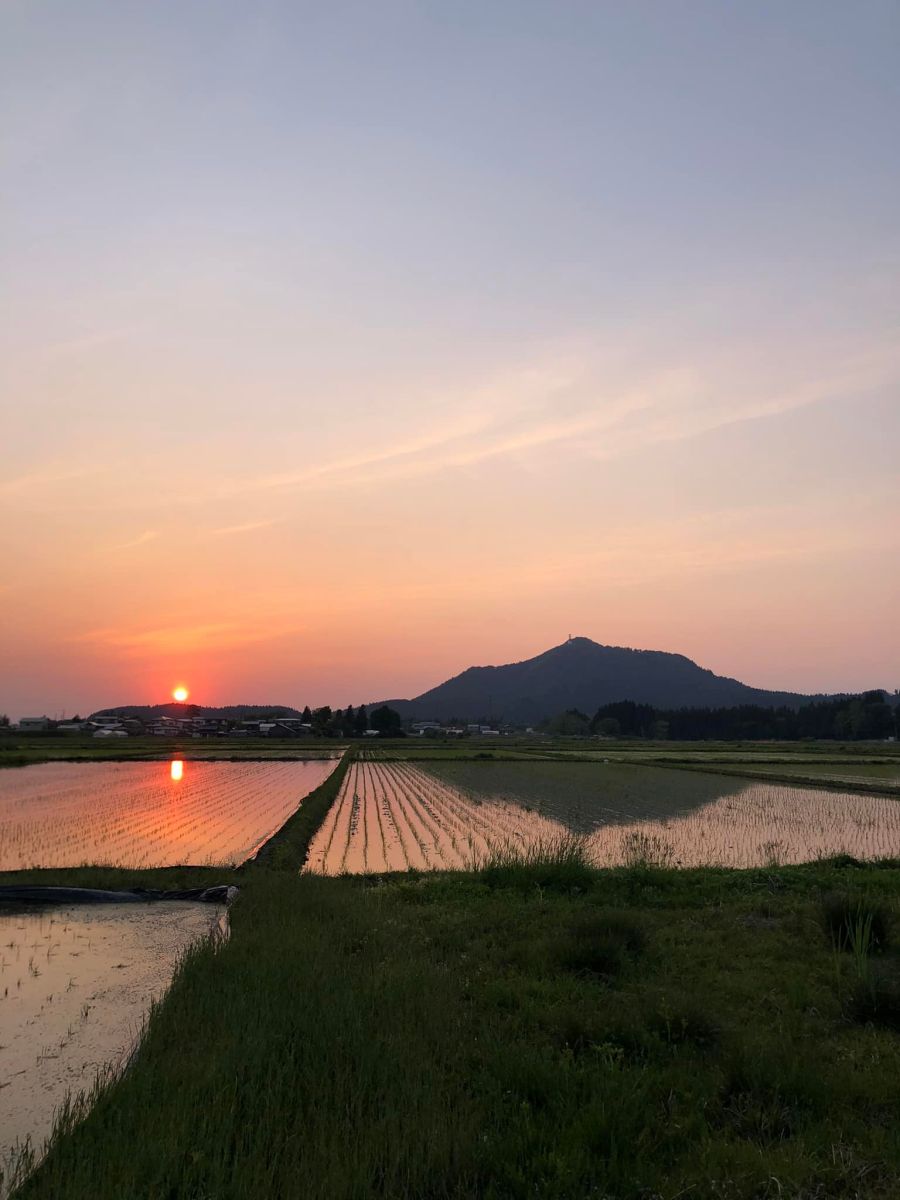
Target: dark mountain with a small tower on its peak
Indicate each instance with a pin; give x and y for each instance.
(584, 675)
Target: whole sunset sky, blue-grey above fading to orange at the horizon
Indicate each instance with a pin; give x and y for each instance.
(346, 346)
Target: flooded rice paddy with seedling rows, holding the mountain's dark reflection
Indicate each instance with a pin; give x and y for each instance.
(397, 817)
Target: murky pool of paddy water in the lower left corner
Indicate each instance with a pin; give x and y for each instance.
(76, 986)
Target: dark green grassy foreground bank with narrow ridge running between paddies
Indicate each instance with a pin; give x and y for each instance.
(529, 1030)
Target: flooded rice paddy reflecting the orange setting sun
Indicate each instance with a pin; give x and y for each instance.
(149, 814)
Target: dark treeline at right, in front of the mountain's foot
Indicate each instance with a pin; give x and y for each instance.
(855, 718)
